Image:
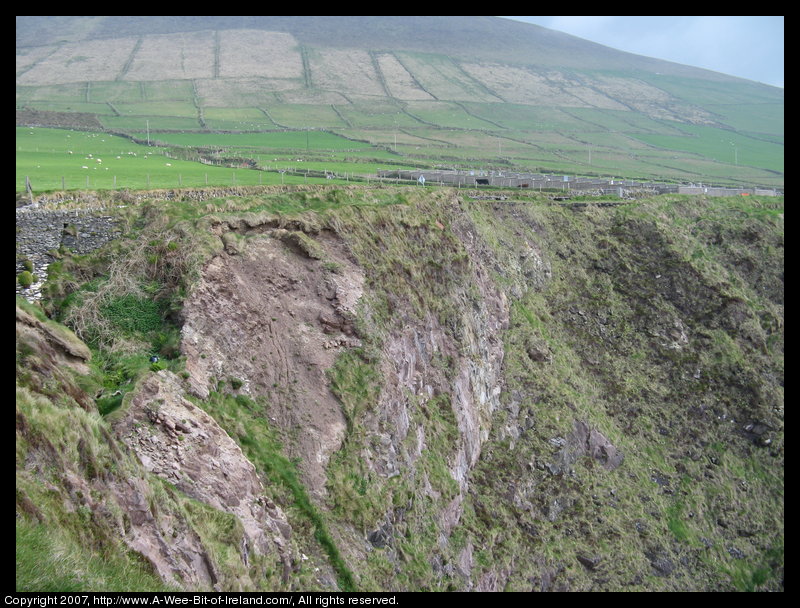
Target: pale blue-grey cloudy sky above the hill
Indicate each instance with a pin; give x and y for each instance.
(748, 47)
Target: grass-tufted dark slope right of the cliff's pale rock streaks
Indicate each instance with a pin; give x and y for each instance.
(693, 491)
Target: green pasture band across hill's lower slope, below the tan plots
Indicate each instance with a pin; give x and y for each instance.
(466, 134)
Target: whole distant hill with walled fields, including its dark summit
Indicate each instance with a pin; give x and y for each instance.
(467, 90)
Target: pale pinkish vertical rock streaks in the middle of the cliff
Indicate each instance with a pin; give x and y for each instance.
(411, 376)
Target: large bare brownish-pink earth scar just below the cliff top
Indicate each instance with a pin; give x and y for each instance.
(274, 318)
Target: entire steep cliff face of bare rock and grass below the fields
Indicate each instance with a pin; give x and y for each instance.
(457, 395)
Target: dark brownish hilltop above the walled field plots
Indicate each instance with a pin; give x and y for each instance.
(461, 37)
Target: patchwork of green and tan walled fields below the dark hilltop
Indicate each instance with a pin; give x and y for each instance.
(430, 109)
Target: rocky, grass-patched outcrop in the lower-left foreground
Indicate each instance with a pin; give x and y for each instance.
(93, 473)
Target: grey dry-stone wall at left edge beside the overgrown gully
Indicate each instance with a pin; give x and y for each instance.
(42, 233)
